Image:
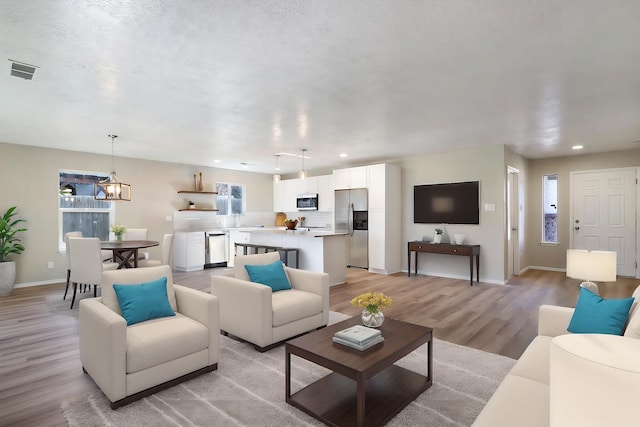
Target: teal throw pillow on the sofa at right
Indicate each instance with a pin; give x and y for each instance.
(596, 315)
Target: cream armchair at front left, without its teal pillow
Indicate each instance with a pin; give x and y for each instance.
(130, 362)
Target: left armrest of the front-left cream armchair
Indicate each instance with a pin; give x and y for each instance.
(103, 347)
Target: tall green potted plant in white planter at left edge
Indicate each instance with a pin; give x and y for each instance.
(9, 244)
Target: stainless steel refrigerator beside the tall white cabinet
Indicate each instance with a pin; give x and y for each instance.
(352, 217)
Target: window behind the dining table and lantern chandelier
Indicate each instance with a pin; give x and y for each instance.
(78, 210)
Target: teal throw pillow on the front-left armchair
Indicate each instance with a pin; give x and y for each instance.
(145, 301)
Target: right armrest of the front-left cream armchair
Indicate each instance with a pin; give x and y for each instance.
(204, 308)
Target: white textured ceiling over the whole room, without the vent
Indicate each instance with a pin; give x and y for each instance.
(239, 81)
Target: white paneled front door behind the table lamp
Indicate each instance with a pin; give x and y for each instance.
(604, 213)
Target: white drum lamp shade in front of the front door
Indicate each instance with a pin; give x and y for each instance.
(591, 265)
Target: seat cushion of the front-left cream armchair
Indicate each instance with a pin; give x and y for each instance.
(153, 342)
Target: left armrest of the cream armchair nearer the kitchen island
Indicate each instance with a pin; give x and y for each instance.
(245, 308)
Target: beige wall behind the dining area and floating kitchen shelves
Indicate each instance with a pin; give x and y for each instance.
(29, 177)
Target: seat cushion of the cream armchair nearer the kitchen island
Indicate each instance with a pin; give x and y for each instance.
(289, 306)
